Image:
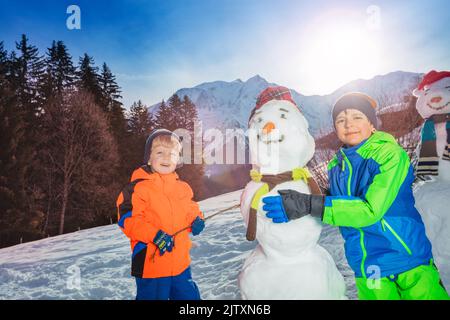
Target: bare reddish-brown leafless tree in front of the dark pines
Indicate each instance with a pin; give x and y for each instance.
(79, 150)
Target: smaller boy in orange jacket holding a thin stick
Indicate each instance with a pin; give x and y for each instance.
(152, 208)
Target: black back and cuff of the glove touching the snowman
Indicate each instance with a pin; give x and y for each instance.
(297, 204)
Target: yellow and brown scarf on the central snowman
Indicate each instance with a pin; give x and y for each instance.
(269, 182)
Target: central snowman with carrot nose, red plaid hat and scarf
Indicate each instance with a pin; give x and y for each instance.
(287, 263)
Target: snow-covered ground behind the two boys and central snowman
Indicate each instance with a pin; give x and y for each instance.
(95, 263)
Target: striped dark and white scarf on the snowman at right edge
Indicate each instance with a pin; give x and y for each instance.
(428, 157)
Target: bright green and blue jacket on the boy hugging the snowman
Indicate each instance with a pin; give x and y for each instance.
(371, 200)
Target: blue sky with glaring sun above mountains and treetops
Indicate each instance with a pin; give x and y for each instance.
(158, 46)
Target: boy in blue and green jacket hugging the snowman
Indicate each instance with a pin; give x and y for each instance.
(372, 202)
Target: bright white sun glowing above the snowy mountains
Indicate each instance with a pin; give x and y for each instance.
(335, 55)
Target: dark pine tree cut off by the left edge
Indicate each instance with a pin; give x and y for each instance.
(17, 219)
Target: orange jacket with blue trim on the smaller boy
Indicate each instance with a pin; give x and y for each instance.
(153, 202)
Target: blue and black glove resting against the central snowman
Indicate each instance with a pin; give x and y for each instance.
(292, 205)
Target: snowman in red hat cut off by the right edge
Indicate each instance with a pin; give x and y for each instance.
(433, 196)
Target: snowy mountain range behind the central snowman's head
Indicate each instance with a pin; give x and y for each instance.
(228, 104)
